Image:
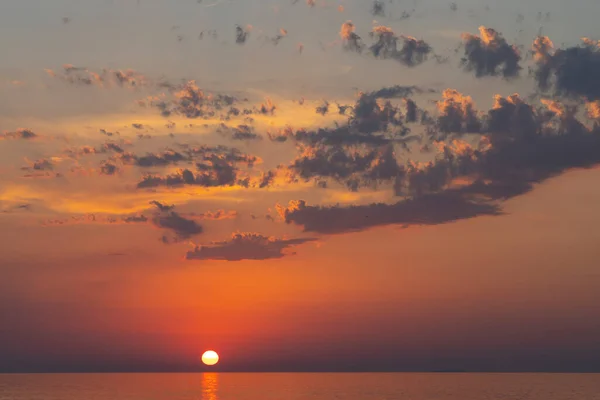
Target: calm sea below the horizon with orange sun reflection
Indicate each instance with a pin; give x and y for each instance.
(213, 386)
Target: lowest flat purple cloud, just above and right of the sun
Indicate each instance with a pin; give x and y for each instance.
(246, 246)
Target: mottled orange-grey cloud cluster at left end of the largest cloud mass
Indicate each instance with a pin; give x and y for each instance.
(360, 153)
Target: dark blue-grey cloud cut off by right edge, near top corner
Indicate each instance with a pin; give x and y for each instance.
(571, 72)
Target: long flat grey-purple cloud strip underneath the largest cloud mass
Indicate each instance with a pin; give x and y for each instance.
(431, 209)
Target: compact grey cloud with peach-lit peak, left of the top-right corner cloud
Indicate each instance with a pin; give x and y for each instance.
(490, 55)
